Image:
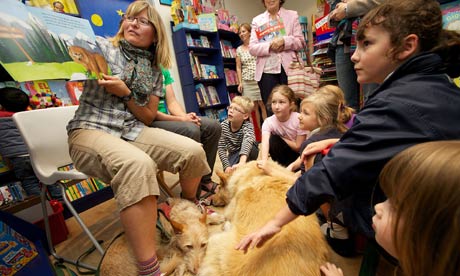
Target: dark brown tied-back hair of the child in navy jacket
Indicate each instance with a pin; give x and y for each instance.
(423, 18)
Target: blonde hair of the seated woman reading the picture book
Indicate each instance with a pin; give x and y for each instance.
(162, 52)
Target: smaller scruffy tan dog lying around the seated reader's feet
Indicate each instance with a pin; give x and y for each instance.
(181, 255)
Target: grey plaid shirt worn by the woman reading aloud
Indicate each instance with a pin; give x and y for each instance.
(101, 110)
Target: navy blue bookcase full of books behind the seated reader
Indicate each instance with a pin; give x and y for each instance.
(197, 63)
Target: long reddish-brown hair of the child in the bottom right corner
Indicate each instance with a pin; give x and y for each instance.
(423, 186)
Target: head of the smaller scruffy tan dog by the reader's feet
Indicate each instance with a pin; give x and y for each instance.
(191, 233)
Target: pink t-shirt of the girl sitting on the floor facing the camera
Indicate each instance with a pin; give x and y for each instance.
(289, 129)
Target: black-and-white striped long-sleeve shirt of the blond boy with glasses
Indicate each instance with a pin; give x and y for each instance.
(231, 142)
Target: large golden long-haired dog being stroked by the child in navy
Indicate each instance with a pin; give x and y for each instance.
(299, 249)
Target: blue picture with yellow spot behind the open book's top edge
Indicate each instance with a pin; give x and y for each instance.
(104, 16)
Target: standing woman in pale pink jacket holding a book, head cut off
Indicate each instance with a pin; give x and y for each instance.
(275, 37)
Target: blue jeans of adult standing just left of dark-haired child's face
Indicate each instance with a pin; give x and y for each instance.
(346, 77)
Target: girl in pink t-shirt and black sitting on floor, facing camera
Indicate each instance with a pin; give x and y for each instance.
(281, 135)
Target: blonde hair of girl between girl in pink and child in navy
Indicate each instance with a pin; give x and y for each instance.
(329, 107)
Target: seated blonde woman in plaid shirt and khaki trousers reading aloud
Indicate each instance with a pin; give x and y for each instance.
(109, 137)
